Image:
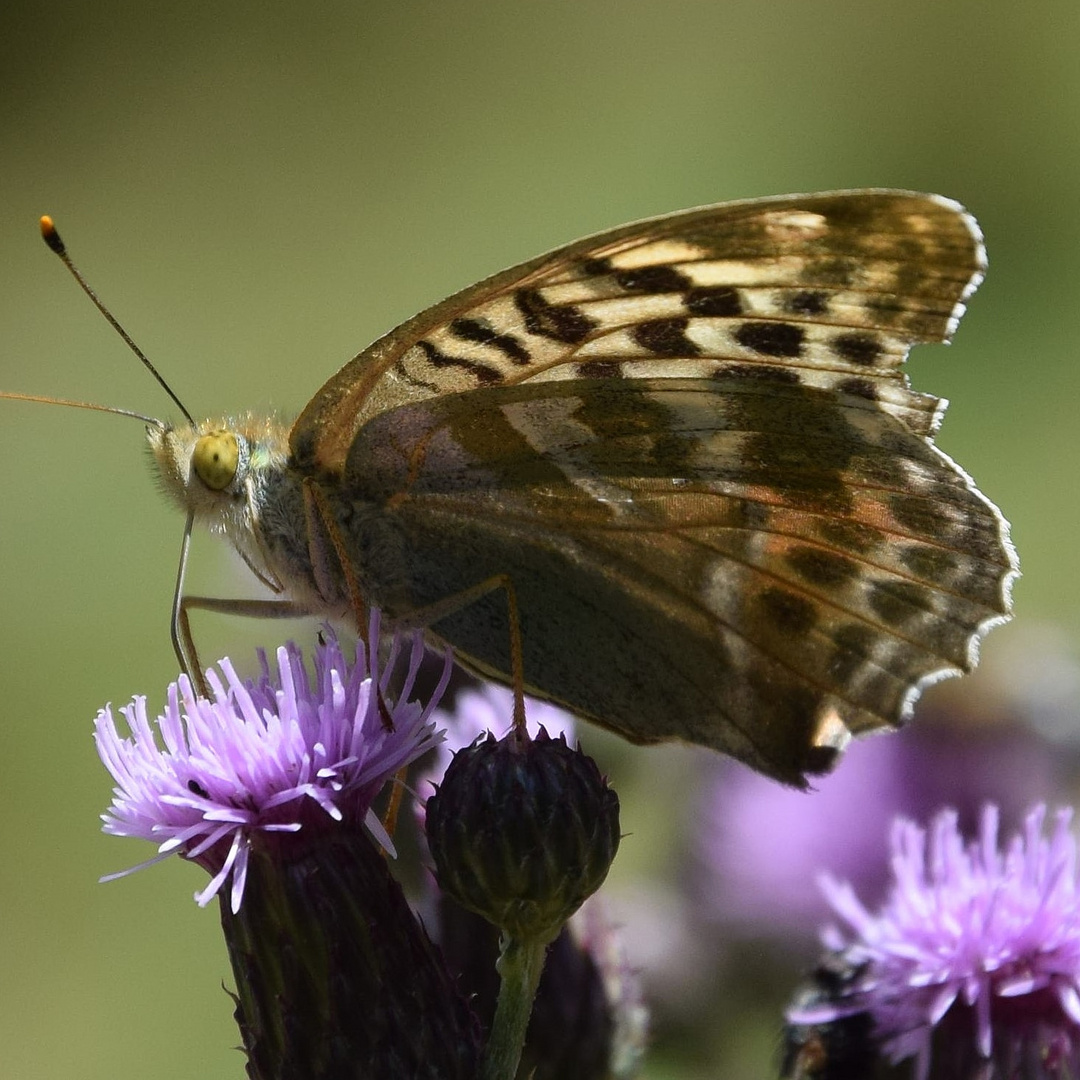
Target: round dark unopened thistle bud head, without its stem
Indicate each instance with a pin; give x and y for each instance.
(522, 832)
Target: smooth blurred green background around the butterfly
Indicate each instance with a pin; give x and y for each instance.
(259, 191)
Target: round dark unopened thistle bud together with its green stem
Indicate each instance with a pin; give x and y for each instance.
(522, 831)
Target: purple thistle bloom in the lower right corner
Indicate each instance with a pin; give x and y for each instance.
(980, 944)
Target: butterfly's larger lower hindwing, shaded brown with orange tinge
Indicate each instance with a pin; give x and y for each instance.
(757, 565)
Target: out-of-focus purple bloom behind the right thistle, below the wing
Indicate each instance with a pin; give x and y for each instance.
(761, 846)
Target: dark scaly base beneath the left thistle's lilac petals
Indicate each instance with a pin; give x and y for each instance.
(336, 979)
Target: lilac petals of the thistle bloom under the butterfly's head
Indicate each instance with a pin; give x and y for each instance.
(264, 758)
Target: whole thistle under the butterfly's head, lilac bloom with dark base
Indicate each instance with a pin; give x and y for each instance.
(269, 785)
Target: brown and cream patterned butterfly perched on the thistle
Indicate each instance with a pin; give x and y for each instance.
(678, 463)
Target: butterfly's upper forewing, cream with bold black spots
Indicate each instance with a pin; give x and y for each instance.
(827, 291)
